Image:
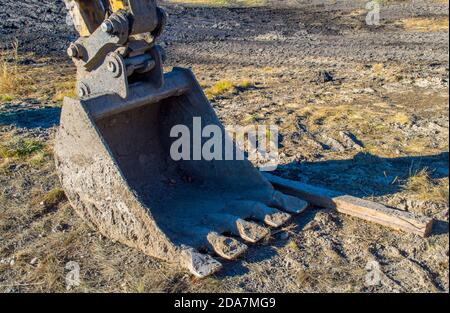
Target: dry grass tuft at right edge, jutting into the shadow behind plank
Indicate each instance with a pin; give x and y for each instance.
(425, 188)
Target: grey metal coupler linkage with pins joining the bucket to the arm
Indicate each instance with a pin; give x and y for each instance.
(115, 54)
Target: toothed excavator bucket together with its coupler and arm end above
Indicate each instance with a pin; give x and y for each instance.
(114, 148)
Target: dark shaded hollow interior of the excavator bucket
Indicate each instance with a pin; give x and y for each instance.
(177, 193)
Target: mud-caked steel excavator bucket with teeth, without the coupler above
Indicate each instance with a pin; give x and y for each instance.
(114, 161)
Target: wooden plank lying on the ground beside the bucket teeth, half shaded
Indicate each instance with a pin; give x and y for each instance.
(357, 207)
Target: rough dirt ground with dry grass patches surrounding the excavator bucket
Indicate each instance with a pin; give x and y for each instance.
(361, 109)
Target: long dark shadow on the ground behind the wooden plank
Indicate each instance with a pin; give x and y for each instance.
(366, 174)
